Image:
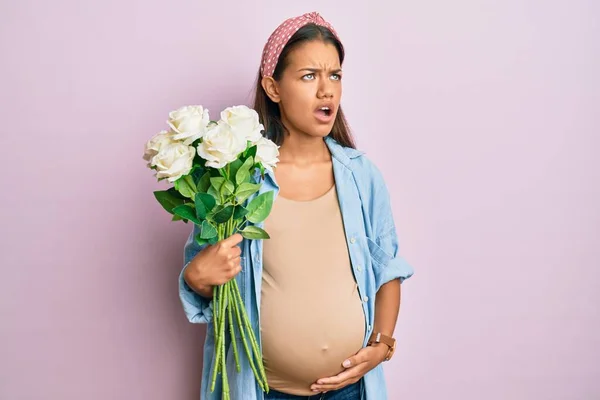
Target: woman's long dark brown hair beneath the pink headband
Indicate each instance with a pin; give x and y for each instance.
(268, 111)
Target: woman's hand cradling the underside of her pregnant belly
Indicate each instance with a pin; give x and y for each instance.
(356, 366)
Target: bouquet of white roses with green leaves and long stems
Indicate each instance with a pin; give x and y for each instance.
(212, 165)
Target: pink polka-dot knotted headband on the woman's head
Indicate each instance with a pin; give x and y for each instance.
(282, 34)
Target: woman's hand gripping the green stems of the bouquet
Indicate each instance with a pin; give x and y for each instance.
(214, 265)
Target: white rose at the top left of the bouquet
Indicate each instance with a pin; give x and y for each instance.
(189, 123)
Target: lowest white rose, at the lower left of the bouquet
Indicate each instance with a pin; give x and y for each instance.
(173, 161)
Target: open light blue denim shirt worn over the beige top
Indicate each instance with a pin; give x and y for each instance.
(374, 254)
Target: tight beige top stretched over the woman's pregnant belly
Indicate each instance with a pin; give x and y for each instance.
(311, 313)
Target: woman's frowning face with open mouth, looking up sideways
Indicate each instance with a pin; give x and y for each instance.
(310, 88)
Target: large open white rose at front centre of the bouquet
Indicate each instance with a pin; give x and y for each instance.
(220, 146)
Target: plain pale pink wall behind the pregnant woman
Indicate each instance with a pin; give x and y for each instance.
(483, 116)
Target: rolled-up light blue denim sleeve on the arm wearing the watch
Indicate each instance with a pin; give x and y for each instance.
(388, 263)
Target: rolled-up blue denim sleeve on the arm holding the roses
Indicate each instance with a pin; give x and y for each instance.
(197, 308)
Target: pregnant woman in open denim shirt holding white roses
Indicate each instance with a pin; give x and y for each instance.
(323, 293)
